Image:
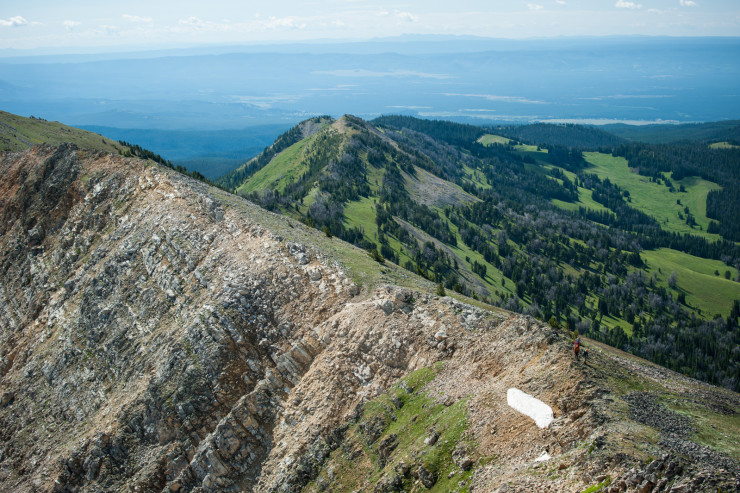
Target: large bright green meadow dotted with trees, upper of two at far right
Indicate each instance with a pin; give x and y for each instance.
(655, 199)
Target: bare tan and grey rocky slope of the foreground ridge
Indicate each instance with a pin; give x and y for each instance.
(155, 336)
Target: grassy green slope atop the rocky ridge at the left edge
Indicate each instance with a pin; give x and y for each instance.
(17, 133)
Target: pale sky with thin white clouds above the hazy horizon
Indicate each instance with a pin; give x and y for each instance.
(99, 25)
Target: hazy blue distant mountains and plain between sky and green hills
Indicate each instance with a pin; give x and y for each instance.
(472, 80)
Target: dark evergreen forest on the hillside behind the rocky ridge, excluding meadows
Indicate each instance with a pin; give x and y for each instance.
(580, 268)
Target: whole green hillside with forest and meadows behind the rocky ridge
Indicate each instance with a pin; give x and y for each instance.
(629, 243)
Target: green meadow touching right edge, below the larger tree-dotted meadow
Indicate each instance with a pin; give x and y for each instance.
(695, 277)
